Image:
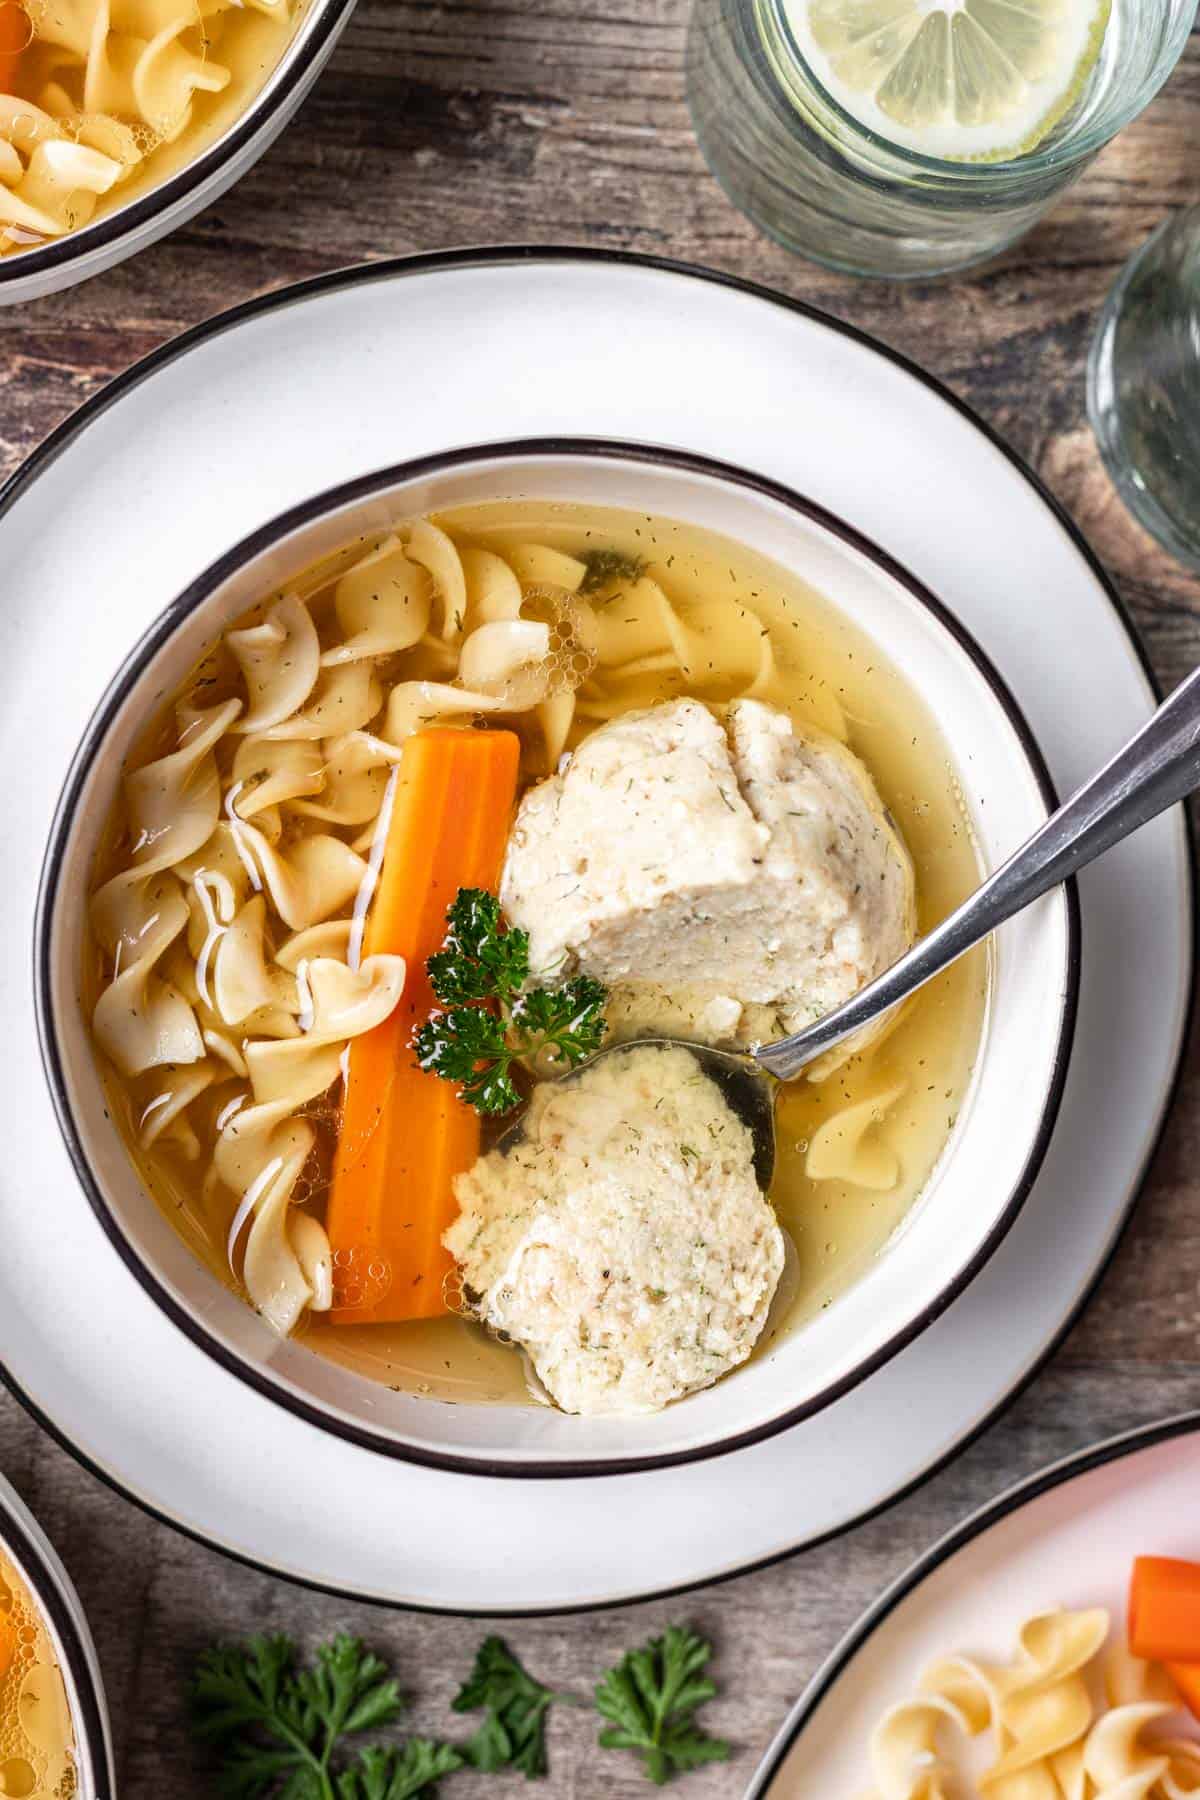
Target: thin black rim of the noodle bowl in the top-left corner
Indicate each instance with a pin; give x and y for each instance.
(294, 69)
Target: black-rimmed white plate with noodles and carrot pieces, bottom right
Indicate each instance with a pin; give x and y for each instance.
(1046, 1650)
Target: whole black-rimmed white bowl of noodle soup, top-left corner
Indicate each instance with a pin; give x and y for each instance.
(121, 120)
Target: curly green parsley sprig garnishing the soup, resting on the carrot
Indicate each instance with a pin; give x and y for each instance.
(487, 1023)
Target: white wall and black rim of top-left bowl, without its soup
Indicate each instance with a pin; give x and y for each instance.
(152, 213)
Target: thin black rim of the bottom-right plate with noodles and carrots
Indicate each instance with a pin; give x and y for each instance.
(981, 1522)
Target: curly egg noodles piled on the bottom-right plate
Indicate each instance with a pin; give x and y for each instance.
(1066, 1720)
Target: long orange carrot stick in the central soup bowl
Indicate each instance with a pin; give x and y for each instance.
(406, 1133)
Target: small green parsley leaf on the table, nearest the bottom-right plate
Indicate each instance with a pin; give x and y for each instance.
(652, 1698)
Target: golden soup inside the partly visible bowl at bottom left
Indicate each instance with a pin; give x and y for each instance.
(37, 1740)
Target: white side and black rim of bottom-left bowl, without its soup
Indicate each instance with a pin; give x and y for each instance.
(37, 1563)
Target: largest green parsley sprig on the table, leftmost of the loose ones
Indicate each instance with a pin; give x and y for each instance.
(278, 1729)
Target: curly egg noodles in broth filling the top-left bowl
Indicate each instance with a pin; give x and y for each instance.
(103, 87)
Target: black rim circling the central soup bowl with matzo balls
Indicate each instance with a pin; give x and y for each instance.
(506, 456)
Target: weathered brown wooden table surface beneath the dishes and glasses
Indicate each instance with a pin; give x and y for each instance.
(564, 121)
